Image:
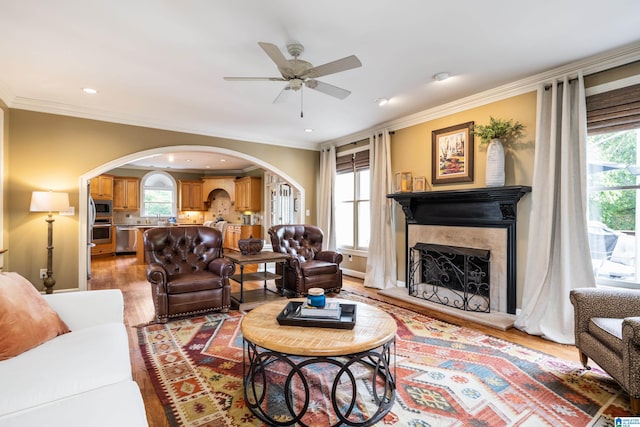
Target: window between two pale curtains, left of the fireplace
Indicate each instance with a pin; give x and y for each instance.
(352, 201)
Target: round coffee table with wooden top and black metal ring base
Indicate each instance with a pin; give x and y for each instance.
(296, 354)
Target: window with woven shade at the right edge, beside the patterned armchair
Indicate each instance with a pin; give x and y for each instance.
(613, 154)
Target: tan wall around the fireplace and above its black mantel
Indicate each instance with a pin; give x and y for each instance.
(411, 151)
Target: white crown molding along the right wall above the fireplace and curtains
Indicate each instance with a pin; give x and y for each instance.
(603, 61)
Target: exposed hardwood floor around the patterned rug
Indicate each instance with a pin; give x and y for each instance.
(122, 272)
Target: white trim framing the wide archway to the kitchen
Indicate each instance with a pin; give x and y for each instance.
(83, 253)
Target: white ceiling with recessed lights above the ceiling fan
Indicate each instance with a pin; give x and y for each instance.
(161, 63)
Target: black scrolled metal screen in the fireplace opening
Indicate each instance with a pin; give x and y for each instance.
(450, 275)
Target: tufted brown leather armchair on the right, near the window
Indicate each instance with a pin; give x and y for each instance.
(309, 266)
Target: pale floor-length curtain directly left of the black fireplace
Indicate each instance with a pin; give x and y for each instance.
(381, 260)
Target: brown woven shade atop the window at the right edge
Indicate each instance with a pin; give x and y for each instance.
(613, 111)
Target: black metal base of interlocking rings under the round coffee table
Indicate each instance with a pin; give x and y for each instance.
(257, 384)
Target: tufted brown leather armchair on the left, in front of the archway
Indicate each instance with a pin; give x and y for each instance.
(186, 270)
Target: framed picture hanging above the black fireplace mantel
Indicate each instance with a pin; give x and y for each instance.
(452, 154)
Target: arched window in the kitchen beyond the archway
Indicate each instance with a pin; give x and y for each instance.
(158, 195)
